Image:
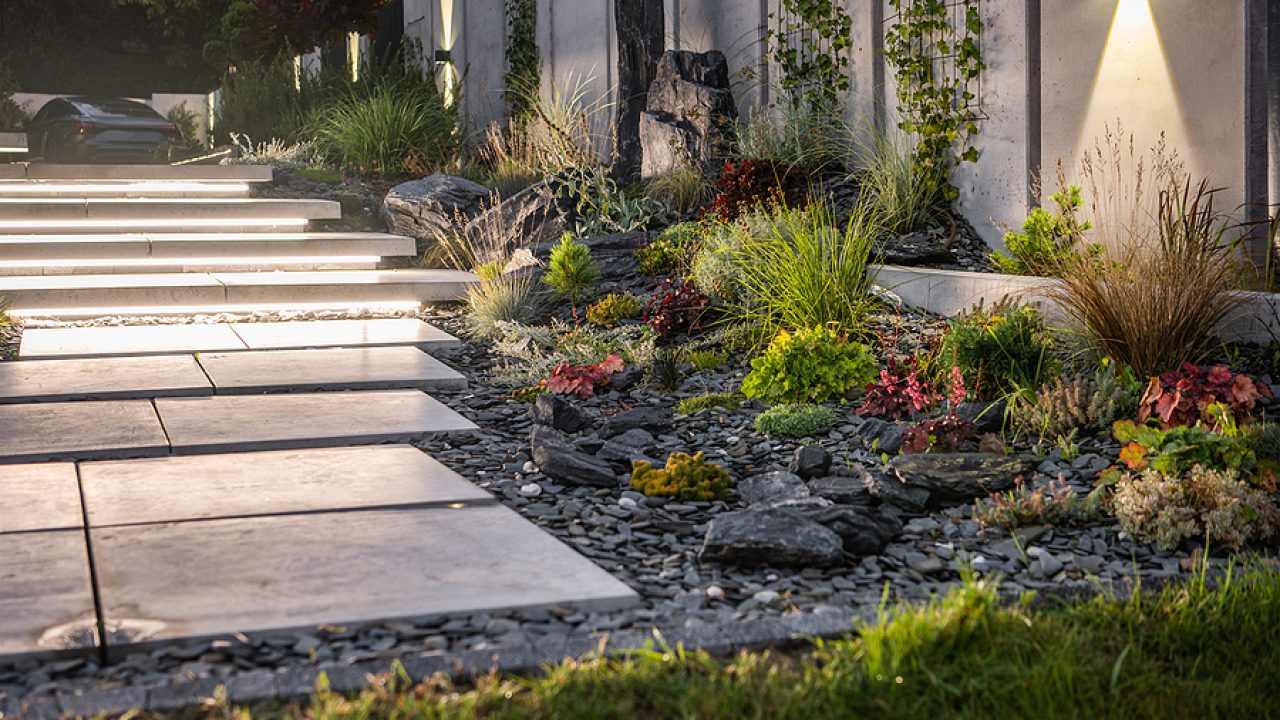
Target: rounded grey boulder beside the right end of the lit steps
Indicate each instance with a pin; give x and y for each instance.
(428, 208)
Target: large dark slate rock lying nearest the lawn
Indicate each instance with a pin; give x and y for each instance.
(771, 537)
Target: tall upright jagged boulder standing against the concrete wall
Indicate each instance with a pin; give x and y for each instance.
(691, 113)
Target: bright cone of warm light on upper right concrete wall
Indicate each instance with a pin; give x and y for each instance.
(1135, 84)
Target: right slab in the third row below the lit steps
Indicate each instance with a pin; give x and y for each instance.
(276, 422)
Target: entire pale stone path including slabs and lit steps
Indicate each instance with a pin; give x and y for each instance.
(194, 481)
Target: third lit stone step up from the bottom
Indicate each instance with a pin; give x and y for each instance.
(40, 215)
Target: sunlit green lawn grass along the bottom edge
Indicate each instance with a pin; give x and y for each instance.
(1188, 651)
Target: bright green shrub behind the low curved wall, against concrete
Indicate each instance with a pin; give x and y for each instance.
(1048, 239)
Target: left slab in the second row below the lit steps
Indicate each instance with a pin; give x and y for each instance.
(102, 379)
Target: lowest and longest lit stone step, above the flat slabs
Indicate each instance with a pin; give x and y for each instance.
(196, 293)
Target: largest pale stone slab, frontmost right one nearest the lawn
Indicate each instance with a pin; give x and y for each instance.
(218, 577)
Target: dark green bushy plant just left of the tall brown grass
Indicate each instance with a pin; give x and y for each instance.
(1002, 350)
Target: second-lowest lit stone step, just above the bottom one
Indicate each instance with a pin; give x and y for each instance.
(35, 249)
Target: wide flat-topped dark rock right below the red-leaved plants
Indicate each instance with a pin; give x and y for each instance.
(954, 479)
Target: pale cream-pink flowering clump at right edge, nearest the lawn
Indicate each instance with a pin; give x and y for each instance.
(1212, 505)
